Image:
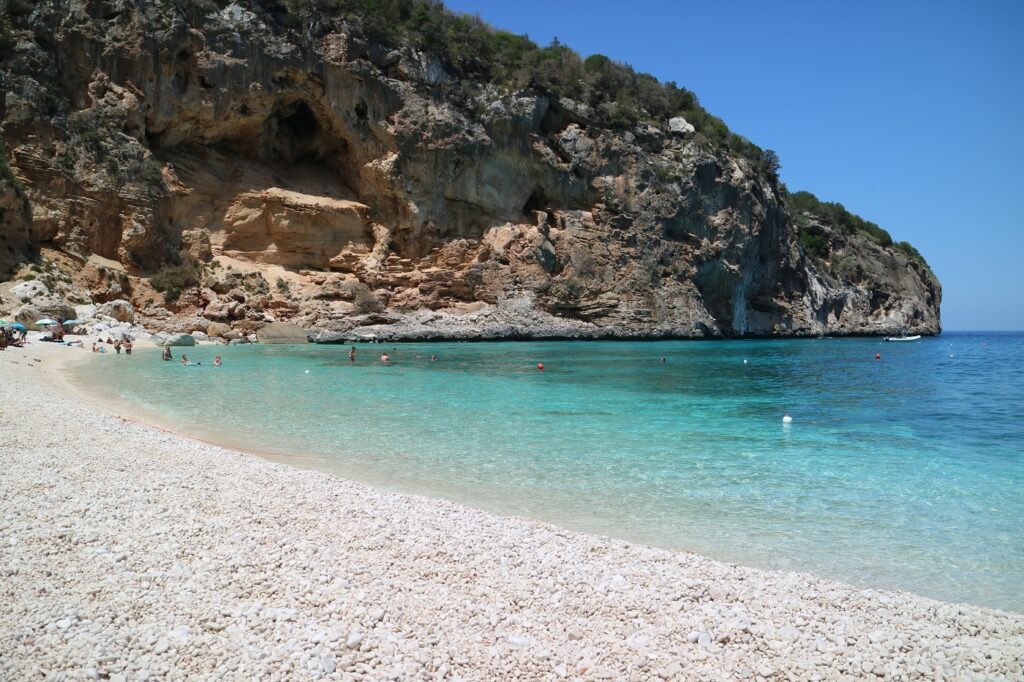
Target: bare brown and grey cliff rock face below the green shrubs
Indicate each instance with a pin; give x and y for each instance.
(346, 191)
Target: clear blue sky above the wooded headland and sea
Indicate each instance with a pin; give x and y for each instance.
(911, 114)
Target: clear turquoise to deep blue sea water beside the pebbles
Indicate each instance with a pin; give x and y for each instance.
(906, 473)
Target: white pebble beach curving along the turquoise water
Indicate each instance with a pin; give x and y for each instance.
(131, 553)
